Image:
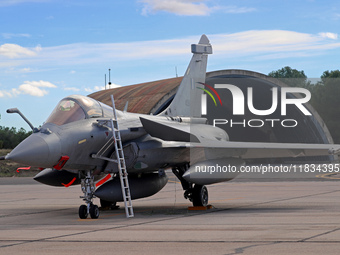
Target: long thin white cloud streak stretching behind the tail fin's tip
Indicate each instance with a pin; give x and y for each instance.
(253, 43)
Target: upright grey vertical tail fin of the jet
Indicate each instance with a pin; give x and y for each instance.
(187, 100)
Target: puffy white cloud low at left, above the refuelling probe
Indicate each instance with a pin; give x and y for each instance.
(32, 88)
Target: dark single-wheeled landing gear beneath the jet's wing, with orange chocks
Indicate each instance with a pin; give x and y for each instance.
(197, 194)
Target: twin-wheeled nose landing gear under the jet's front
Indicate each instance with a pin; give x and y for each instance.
(88, 188)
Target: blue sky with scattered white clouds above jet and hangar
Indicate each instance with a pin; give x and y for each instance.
(50, 49)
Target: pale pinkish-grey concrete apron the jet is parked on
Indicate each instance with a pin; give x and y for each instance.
(248, 217)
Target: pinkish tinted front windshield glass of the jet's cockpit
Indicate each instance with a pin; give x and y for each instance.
(66, 111)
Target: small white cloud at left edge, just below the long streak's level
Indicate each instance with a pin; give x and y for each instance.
(16, 51)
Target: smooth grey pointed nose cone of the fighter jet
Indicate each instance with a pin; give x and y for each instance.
(35, 150)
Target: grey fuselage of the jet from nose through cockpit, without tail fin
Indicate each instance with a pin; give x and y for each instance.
(79, 127)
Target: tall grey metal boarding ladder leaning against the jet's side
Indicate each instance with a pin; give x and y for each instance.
(120, 160)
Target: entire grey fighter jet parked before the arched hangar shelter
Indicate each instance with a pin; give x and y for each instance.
(79, 144)
